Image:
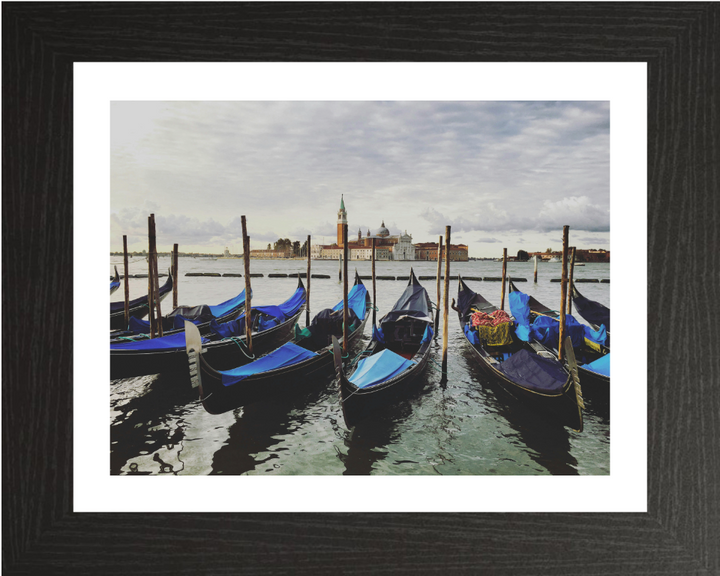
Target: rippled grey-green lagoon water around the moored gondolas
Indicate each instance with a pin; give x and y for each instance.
(466, 426)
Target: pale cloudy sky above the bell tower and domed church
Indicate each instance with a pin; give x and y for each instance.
(502, 174)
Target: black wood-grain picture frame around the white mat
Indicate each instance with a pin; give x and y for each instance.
(681, 530)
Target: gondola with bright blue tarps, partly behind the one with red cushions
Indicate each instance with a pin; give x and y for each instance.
(592, 352)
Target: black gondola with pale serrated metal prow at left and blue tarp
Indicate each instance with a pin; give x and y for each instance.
(307, 356)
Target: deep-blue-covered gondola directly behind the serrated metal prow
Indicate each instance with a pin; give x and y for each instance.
(225, 346)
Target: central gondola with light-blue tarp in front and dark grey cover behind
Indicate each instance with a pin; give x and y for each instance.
(394, 359)
